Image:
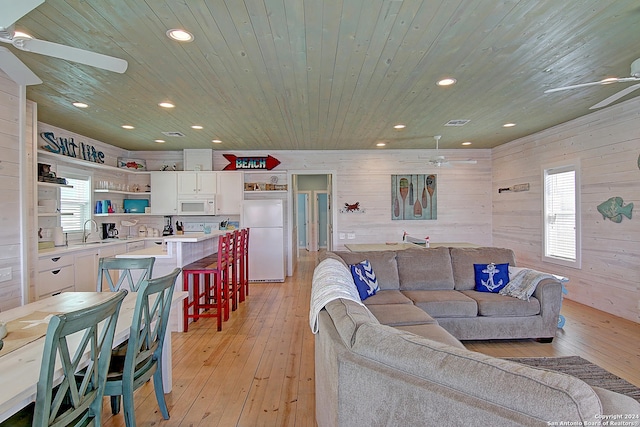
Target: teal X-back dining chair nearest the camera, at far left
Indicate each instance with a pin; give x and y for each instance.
(77, 400)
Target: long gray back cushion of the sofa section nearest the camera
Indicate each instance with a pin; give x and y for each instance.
(538, 393)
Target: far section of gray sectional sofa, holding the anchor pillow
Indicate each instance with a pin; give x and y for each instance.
(440, 282)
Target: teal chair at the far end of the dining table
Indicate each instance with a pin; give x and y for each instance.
(114, 272)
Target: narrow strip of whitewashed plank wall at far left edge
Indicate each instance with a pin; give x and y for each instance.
(10, 245)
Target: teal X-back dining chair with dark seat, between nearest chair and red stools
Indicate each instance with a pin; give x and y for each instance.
(143, 357)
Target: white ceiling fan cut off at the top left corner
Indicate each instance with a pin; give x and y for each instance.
(13, 10)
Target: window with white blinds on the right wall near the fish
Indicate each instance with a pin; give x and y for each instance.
(562, 215)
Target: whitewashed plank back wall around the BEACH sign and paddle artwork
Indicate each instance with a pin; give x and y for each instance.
(464, 191)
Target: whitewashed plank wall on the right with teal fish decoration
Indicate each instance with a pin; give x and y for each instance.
(607, 145)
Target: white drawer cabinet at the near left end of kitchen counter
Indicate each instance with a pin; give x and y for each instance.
(55, 275)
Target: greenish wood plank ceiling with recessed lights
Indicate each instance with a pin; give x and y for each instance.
(333, 74)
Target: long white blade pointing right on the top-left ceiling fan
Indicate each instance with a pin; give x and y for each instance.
(69, 53)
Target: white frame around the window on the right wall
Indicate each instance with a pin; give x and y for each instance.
(576, 261)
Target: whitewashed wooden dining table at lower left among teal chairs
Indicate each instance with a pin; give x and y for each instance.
(20, 367)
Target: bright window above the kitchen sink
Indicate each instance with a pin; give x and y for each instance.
(76, 200)
